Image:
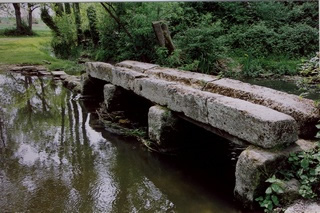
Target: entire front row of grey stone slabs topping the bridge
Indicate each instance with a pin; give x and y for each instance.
(256, 124)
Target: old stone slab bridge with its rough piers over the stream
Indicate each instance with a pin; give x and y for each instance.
(266, 119)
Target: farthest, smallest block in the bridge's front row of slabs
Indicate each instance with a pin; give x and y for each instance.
(100, 70)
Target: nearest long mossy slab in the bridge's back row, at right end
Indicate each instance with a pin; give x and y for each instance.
(302, 110)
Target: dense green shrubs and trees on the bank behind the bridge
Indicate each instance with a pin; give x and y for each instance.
(230, 38)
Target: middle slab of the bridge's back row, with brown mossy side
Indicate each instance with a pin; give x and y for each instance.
(196, 80)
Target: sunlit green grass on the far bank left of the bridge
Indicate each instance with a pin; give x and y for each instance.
(33, 50)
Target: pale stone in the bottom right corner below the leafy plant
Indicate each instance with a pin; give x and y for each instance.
(304, 206)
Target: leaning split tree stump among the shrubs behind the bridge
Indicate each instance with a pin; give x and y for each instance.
(163, 35)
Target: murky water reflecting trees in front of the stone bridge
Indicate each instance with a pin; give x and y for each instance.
(55, 157)
